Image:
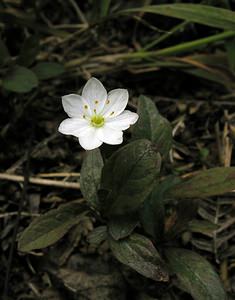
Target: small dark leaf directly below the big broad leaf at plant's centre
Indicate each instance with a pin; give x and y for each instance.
(122, 226)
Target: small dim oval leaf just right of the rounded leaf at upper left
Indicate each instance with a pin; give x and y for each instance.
(48, 70)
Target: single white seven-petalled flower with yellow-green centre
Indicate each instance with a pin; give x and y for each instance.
(96, 117)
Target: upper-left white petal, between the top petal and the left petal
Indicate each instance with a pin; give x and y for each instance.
(73, 105)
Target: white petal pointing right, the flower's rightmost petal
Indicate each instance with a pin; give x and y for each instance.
(123, 121)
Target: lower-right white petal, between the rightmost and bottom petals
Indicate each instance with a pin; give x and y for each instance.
(110, 136)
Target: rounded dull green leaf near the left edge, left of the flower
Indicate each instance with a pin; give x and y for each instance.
(20, 80)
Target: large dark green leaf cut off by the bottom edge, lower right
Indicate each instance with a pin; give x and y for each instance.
(196, 276)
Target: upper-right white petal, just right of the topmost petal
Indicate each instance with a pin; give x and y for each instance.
(116, 103)
